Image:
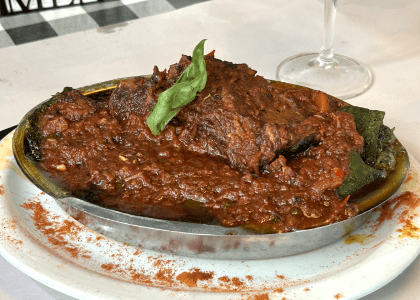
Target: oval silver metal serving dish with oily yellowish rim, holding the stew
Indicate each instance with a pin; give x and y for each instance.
(200, 240)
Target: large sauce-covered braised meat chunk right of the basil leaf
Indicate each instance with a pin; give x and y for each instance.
(244, 119)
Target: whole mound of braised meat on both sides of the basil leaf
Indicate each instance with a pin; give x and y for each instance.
(239, 117)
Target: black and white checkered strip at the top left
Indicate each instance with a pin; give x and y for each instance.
(34, 26)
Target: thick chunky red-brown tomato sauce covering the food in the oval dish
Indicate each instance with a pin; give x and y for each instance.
(105, 153)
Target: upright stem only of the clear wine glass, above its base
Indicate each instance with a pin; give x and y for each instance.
(326, 52)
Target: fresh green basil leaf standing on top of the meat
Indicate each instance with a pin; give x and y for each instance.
(189, 83)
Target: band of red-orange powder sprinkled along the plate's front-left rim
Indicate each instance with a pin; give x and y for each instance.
(65, 237)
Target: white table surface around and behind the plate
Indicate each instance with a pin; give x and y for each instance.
(385, 35)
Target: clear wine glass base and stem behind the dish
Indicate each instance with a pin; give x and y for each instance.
(337, 75)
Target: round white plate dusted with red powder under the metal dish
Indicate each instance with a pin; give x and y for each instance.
(70, 258)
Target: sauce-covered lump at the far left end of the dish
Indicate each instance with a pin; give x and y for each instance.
(78, 127)
